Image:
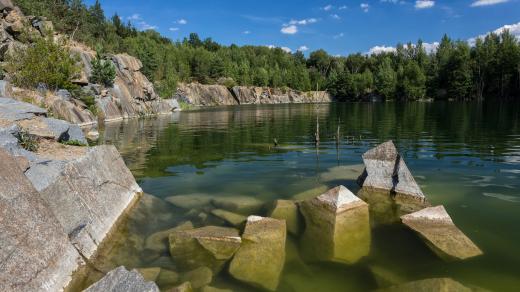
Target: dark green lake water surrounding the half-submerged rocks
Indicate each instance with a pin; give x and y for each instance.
(465, 156)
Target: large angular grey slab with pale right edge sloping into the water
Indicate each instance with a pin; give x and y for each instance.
(89, 194)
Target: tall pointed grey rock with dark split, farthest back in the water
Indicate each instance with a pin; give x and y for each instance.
(386, 170)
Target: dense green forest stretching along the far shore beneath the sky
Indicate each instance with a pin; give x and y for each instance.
(489, 68)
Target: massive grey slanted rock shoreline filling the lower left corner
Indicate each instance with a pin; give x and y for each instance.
(59, 198)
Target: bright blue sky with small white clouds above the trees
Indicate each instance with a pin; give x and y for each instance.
(339, 27)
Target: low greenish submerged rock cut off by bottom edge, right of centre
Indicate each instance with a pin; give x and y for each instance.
(430, 285)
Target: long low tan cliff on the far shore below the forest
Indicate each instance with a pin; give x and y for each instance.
(213, 95)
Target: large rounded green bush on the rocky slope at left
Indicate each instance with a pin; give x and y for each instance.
(43, 62)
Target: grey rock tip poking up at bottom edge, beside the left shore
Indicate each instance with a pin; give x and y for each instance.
(122, 280)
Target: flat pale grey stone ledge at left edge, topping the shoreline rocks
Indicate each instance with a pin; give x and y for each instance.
(13, 110)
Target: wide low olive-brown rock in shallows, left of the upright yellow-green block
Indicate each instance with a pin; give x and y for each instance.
(209, 246)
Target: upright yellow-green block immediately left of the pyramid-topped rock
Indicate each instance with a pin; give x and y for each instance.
(261, 258)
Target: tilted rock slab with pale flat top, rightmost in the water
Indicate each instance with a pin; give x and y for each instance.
(435, 226)
